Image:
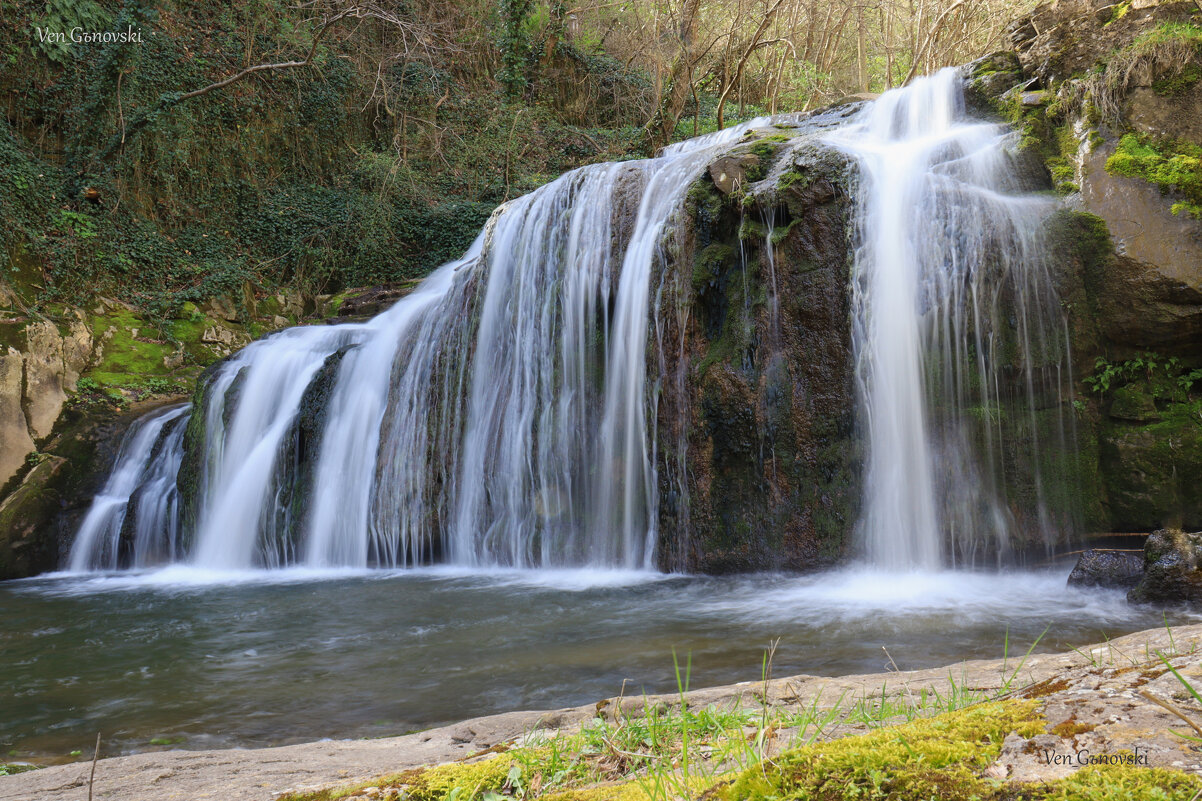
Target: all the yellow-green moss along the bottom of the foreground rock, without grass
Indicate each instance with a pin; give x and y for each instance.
(931, 758)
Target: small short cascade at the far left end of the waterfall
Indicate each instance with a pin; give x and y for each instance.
(135, 519)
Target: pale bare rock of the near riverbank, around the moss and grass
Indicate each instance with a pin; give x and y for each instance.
(1109, 701)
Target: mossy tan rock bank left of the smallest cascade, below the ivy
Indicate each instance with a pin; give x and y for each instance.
(72, 383)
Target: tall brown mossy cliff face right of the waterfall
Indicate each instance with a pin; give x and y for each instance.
(1110, 96)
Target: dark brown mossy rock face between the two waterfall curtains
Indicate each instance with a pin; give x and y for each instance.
(755, 418)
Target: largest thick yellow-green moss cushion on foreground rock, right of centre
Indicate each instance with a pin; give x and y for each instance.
(933, 758)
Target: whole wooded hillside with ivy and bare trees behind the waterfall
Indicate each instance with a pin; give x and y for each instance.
(325, 144)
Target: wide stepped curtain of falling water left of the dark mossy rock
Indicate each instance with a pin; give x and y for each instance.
(499, 416)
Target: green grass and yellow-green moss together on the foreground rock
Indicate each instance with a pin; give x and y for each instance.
(919, 745)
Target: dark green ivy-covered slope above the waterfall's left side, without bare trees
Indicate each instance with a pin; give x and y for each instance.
(373, 163)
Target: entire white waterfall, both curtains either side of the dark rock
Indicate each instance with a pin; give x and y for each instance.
(503, 413)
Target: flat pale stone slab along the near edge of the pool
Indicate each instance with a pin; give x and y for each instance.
(1100, 701)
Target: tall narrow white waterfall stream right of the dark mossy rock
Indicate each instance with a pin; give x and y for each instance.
(957, 327)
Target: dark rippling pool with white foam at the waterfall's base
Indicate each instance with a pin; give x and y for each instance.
(205, 661)
